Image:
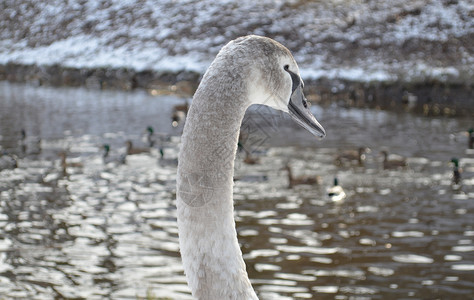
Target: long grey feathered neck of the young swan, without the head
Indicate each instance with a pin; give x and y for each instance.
(211, 255)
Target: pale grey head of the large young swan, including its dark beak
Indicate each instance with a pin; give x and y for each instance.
(274, 80)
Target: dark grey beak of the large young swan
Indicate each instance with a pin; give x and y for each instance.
(298, 108)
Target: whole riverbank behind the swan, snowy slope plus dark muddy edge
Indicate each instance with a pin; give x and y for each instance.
(415, 55)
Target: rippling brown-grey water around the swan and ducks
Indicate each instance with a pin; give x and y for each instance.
(108, 230)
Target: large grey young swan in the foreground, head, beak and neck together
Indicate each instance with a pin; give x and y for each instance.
(248, 70)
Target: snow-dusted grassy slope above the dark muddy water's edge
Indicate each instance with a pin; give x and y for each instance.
(352, 40)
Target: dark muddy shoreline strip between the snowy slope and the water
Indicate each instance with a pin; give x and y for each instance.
(430, 98)
